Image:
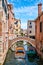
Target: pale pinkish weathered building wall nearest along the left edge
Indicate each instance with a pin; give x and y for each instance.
(3, 30)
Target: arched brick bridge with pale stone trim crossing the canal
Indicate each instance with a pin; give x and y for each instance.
(31, 41)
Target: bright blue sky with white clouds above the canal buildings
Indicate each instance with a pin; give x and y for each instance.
(25, 10)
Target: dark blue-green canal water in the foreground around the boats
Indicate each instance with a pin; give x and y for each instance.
(10, 60)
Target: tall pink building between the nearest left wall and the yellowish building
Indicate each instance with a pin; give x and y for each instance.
(10, 20)
